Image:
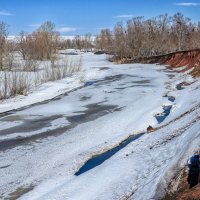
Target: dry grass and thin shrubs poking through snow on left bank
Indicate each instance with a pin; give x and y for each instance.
(13, 83)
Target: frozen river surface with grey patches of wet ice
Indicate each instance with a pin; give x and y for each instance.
(44, 145)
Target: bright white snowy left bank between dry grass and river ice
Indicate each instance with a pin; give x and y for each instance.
(50, 90)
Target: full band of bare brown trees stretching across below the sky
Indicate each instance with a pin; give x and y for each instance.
(138, 37)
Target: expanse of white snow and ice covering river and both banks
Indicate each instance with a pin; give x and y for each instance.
(44, 145)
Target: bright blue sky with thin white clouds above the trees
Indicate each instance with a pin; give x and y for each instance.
(74, 17)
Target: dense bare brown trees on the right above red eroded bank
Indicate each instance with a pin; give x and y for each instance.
(141, 37)
